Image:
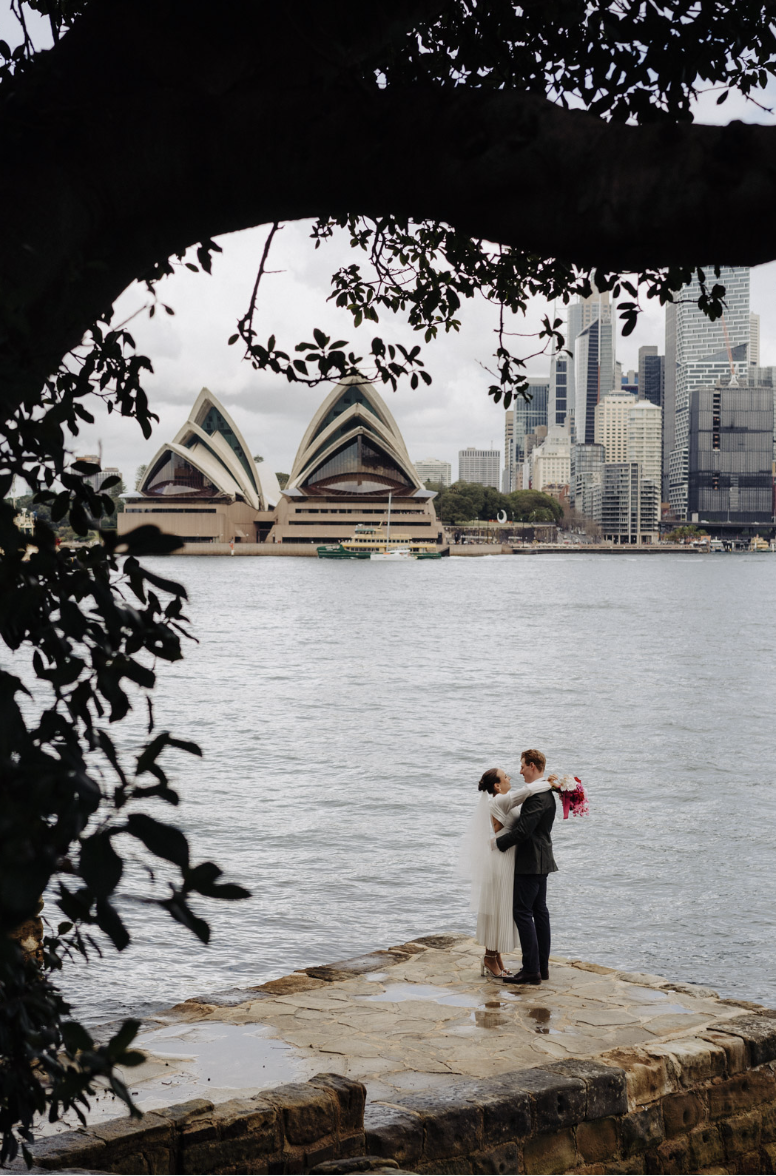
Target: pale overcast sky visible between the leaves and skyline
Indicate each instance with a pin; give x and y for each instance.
(190, 351)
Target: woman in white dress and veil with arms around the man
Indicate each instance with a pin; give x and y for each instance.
(492, 873)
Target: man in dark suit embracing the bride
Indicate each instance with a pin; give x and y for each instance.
(533, 863)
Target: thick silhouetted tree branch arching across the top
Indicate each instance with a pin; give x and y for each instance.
(150, 129)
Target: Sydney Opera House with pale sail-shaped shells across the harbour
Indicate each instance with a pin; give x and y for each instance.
(206, 489)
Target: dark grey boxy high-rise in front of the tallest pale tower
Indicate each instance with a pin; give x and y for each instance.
(731, 455)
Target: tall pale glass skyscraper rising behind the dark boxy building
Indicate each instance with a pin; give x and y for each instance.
(699, 353)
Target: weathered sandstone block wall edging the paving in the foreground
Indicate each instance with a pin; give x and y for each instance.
(699, 1105)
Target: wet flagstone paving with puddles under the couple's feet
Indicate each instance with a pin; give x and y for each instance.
(413, 1018)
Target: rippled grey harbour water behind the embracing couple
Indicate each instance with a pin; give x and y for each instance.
(347, 711)
